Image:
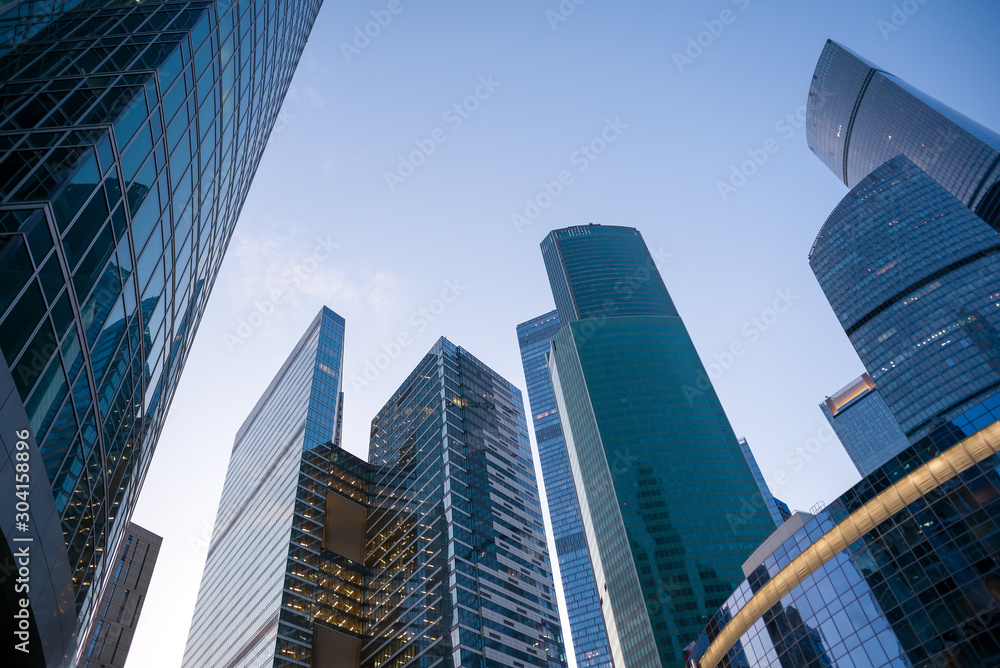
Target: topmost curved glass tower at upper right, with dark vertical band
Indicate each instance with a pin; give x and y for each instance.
(858, 117)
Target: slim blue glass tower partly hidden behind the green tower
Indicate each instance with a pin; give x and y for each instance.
(583, 607)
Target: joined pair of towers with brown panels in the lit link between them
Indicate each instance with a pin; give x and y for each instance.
(432, 554)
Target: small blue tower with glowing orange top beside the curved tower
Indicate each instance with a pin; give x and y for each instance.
(864, 424)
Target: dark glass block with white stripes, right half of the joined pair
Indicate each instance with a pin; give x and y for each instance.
(456, 543)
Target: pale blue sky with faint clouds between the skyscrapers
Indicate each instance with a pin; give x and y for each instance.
(324, 224)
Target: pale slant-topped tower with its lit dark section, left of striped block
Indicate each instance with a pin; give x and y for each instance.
(267, 557)
